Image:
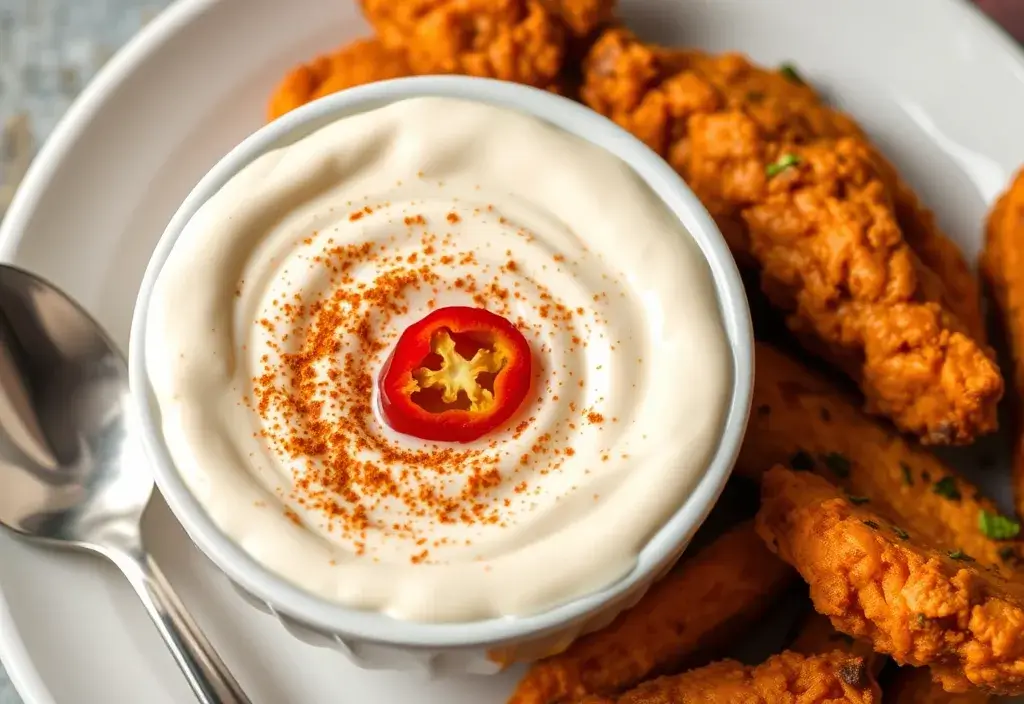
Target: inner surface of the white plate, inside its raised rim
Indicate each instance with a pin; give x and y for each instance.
(941, 87)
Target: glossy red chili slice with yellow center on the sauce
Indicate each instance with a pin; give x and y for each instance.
(455, 376)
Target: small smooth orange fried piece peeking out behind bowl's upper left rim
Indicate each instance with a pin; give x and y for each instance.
(364, 61)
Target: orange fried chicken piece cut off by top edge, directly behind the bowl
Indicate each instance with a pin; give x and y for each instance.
(511, 40)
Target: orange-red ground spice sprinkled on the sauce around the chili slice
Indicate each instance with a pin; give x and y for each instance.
(315, 391)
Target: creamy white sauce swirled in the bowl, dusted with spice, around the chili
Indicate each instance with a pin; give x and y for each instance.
(468, 205)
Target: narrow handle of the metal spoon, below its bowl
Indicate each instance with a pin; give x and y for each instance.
(206, 673)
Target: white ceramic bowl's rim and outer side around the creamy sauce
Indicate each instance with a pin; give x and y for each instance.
(375, 640)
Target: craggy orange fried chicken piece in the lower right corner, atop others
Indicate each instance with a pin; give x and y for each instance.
(876, 582)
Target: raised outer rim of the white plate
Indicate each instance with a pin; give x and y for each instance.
(15, 656)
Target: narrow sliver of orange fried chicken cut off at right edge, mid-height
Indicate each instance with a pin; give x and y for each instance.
(1003, 265)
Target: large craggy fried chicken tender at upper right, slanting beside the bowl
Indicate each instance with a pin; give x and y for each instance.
(840, 242)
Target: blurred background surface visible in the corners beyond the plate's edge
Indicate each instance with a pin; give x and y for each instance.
(51, 49)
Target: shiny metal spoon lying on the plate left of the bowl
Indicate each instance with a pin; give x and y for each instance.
(71, 473)
